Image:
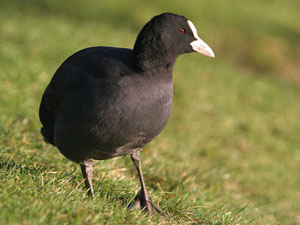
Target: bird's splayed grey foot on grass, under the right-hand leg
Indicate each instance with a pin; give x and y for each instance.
(147, 206)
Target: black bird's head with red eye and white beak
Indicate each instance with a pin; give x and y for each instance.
(169, 35)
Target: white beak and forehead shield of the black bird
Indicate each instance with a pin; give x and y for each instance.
(198, 45)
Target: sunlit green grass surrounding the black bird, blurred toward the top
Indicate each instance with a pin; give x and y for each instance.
(230, 152)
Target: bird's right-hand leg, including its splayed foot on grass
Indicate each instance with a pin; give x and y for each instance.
(145, 202)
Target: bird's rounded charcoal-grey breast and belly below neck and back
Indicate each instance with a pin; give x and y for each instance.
(113, 119)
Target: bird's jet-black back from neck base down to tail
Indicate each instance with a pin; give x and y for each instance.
(95, 62)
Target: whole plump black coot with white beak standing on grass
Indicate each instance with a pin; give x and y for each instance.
(106, 102)
